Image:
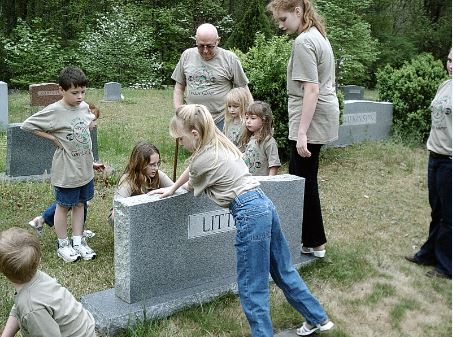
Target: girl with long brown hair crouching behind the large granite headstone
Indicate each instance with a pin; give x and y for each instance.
(141, 174)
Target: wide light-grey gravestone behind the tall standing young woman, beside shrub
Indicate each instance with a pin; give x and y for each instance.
(364, 121)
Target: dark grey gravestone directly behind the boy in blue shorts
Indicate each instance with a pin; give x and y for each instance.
(29, 155)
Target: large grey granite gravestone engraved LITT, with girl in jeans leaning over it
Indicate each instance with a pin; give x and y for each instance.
(179, 251)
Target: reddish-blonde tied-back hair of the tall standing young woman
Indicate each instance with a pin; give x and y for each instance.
(310, 17)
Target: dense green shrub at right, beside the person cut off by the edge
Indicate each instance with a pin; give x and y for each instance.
(411, 89)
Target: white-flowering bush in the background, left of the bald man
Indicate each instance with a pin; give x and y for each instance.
(118, 50)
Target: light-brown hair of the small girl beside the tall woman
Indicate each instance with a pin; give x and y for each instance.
(261, 110)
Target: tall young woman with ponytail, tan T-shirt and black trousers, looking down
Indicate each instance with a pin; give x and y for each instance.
(312, 107)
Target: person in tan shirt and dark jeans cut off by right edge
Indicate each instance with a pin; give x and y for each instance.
(436, 251)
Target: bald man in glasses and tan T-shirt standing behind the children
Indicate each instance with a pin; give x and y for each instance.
(208, 72)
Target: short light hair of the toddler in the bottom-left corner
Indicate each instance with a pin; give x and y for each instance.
(20, 253)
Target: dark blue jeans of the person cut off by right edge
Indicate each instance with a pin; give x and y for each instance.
(437, 249)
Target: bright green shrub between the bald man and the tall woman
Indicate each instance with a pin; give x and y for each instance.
(265, 65)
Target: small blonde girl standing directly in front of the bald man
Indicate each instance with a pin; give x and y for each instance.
(237, 101)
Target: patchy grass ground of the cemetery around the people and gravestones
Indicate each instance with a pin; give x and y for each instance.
(375, 205)
